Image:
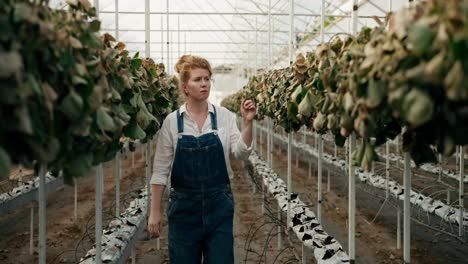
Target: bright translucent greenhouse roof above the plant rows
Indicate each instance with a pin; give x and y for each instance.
(226, 31)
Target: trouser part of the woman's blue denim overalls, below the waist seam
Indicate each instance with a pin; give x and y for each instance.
(200, 226)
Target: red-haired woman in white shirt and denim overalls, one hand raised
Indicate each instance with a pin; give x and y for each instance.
(193, 147)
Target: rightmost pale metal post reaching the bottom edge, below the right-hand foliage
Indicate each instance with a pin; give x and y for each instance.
(406, 210)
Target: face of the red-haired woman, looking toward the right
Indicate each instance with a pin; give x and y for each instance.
(199, 84)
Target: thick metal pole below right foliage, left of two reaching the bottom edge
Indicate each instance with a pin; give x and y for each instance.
(352, 202)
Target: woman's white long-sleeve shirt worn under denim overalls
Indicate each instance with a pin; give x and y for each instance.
(228, 133)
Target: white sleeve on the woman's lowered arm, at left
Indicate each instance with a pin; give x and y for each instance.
(164, 155)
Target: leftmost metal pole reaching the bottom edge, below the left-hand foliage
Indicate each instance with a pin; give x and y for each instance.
(42, 215)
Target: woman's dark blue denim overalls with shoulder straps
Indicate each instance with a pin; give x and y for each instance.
(201, 206)
